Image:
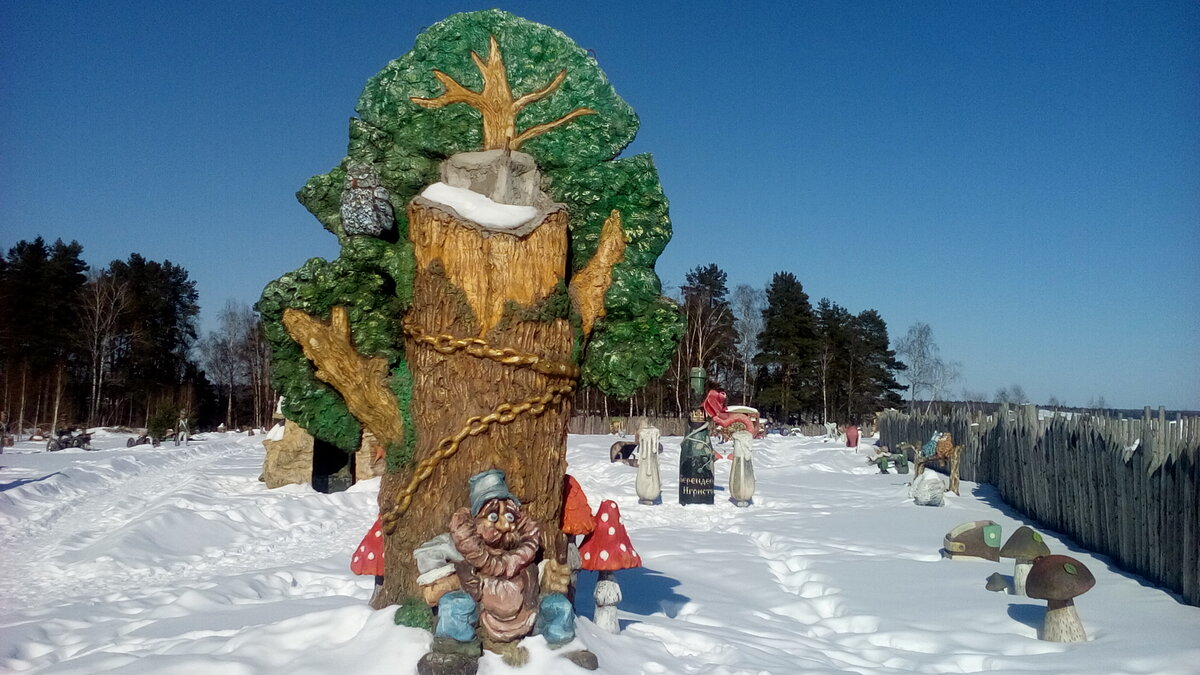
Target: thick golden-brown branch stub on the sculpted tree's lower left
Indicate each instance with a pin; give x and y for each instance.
(362, 381)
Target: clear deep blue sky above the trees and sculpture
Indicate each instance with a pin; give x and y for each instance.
(1024, 177)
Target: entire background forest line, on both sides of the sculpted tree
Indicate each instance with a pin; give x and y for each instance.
(121, 345)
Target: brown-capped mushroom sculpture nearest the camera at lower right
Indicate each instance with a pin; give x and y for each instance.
(1059, 580)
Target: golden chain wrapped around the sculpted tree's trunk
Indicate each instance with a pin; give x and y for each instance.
(505, 414)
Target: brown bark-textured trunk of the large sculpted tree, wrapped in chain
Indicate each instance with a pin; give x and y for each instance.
(477, 294)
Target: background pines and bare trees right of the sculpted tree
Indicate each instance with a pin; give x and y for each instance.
(771, 349)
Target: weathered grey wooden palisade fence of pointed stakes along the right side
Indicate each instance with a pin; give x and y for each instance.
(1124, 488)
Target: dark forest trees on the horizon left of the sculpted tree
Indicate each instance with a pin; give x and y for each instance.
(119, 345)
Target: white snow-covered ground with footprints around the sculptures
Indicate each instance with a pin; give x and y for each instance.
(178, 560)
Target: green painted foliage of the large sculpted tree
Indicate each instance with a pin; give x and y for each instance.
(405, 142)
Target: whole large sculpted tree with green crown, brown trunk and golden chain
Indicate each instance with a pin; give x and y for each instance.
(494, 254)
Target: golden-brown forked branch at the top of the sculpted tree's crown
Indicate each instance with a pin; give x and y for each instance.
(496, 104)
